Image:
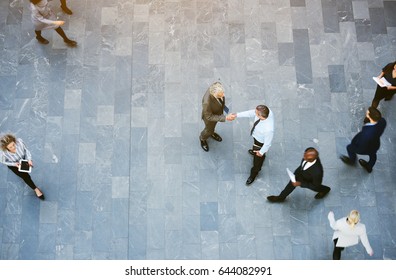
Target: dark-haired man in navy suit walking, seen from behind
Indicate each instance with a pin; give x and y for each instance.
(367, 141)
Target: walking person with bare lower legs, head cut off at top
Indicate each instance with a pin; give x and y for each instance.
(43, 18)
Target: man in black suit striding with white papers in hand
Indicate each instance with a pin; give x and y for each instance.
(308, 175)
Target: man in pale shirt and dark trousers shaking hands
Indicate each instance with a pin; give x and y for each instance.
(262, 132)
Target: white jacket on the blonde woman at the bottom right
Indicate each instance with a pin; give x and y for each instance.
(347, 235)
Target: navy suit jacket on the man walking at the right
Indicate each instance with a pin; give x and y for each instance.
(368, 140)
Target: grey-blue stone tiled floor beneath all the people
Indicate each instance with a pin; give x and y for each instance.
(113, 127)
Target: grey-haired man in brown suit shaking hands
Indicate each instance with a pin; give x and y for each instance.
(213, 103)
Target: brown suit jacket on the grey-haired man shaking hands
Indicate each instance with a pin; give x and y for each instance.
(212, 109)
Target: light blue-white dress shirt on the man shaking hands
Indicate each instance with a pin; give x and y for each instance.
(264, 130)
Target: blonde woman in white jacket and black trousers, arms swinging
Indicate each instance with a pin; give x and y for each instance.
(347, 232)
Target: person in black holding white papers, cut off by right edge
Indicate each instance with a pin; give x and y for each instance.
(386, 92)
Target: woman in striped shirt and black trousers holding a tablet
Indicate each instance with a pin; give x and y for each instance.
(14, 152)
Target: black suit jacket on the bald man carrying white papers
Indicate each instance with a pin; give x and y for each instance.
(311, 177)
